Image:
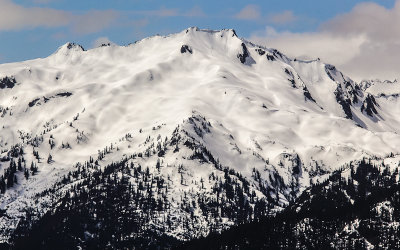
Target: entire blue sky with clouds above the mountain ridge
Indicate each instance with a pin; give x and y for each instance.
(362, 38)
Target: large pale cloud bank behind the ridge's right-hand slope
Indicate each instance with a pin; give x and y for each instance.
(364, 43)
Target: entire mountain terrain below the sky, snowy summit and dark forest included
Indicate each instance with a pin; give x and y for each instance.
(197, 134)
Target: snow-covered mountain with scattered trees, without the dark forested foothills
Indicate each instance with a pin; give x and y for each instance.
(201, 120)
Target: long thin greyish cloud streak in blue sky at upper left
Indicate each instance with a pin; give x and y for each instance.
(14, 17)
